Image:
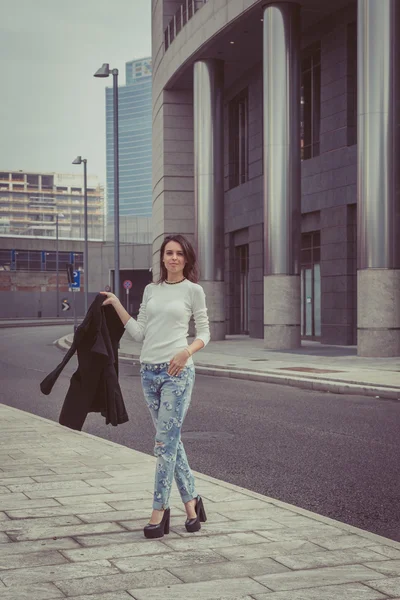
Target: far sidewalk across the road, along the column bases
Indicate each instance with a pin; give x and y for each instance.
(335, 369)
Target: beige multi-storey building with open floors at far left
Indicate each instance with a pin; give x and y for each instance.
(30, 203)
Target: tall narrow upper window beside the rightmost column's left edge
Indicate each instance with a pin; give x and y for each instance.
(351, 84)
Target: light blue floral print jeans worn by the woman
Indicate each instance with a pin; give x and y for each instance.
(168, 398)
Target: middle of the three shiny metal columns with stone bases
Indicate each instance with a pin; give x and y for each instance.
(282, 188)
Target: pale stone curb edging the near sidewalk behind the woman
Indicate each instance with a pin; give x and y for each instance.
(351, 529)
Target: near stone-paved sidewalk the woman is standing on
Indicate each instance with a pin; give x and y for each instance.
(72, 509)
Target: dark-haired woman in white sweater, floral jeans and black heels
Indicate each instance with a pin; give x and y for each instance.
(167, 372)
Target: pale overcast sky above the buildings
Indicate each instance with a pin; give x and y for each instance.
(52, 108)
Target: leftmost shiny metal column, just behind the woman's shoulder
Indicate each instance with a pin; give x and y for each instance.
(209, 186)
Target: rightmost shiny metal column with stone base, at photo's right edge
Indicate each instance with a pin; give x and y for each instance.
(378, 178)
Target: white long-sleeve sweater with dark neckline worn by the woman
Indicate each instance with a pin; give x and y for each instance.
(163, 320)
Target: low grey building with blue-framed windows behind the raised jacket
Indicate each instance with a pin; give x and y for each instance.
(28, 274)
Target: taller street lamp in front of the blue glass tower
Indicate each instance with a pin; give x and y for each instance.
(104, 71)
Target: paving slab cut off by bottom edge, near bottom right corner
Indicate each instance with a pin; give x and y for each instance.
(348, 591)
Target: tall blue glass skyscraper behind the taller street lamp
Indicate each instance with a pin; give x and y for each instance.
(135, 153)
